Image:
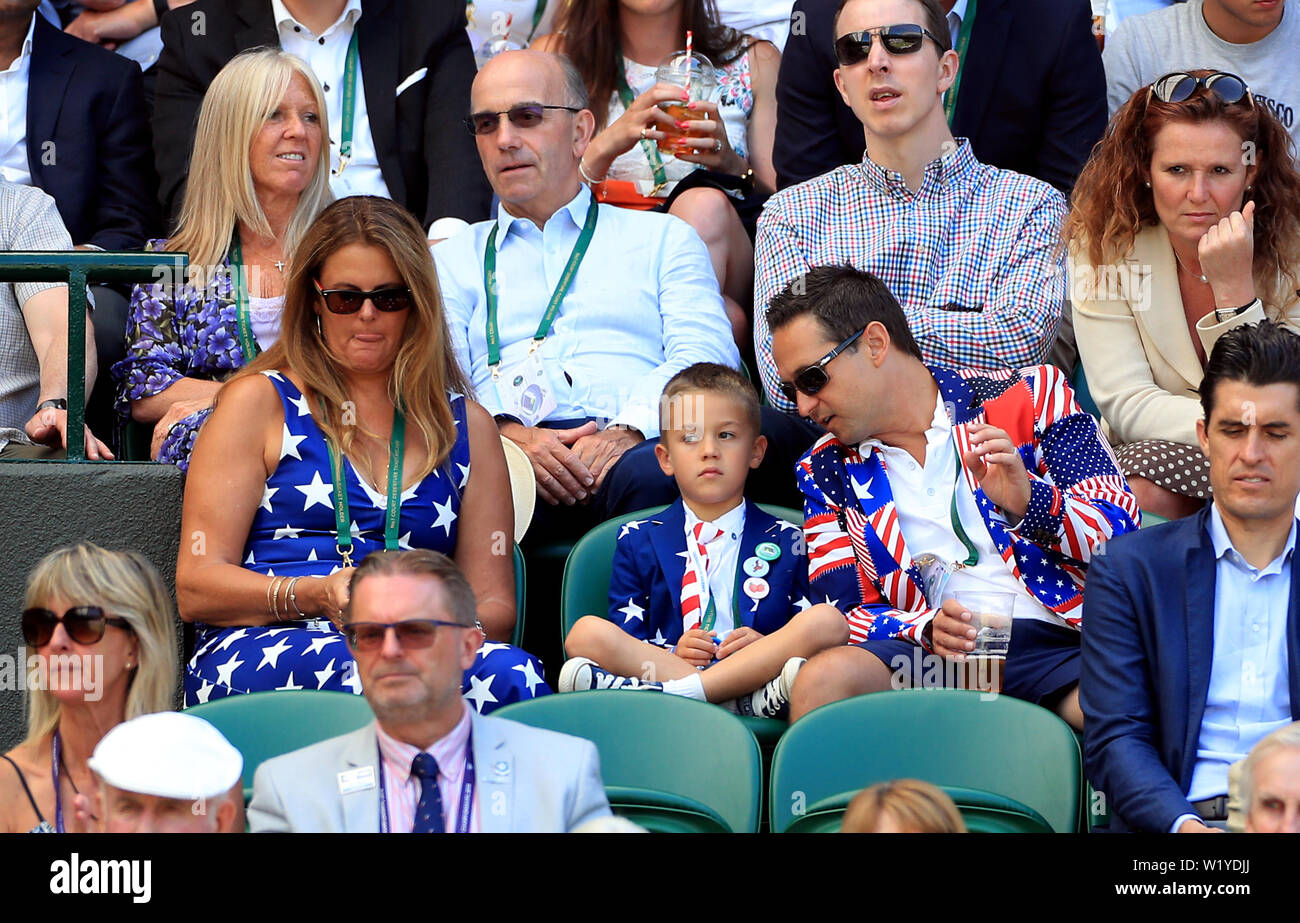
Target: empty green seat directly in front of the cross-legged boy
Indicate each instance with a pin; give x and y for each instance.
(661, 756)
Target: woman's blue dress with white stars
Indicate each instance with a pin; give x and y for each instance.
(293, 535)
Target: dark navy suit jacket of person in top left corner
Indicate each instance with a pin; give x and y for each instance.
(89, 140)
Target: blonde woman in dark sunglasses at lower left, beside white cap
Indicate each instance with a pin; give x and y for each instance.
(101, 631)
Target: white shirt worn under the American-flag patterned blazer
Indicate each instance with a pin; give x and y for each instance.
(924, 497)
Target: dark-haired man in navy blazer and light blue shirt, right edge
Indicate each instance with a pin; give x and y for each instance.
(1193, 651)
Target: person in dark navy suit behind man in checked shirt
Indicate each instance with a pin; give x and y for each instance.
(1033, 94)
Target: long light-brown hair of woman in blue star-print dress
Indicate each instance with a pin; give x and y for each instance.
(426, 369)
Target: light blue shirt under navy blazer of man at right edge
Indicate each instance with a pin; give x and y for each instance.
(1249, 694)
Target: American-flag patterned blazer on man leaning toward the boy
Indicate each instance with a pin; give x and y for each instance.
(1078, 500)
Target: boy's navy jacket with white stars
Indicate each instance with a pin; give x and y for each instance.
(649, 564)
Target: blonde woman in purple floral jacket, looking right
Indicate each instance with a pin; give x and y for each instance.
(258, 176)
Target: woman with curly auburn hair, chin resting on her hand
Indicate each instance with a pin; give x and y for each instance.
(1185, 224)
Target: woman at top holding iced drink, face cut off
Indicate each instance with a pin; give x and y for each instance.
(718, 177)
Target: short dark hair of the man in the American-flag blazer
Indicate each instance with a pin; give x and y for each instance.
(844, 301)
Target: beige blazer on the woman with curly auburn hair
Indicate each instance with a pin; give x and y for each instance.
(1133, 339)
